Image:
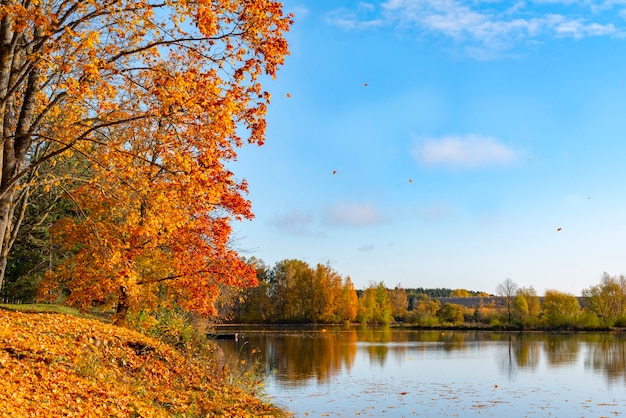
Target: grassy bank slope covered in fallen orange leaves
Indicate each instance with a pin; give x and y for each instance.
(60, 365)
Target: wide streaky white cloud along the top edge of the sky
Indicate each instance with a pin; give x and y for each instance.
(489, 25)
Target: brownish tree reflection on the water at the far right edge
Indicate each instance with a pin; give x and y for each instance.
(609, 357)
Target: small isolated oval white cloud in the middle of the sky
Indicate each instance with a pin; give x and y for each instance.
(463, 151)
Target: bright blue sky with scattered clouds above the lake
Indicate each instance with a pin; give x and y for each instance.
(442, 143)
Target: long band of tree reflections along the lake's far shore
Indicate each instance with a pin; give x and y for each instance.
(299, 356)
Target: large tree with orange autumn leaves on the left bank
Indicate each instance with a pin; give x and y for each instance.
(157, 97)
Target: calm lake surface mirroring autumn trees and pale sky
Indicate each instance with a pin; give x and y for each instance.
(347, 372)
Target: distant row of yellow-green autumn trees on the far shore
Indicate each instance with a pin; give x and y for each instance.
(294, 292)
